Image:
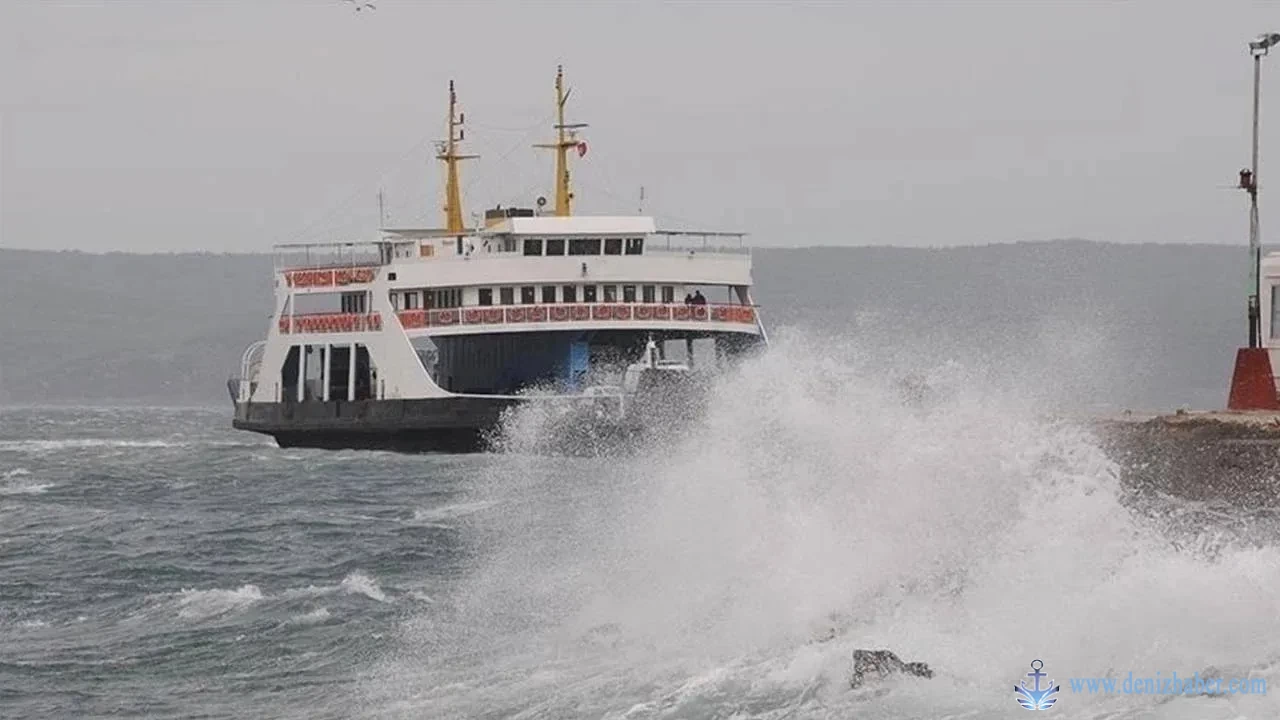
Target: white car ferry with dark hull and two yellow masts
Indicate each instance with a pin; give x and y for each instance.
(423, 339)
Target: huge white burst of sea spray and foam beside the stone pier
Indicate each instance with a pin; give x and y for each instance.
(813, 503)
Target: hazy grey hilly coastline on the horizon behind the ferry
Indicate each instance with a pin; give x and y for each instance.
(1112, 326)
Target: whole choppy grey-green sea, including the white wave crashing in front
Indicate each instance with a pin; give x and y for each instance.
(156, 563)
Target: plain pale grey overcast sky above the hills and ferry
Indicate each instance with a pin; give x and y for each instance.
(231, 125)
